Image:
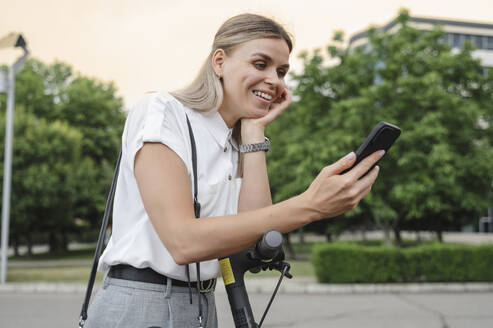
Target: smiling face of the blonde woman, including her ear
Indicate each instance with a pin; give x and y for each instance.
(253, 78)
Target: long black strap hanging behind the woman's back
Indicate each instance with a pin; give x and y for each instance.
(99, 247)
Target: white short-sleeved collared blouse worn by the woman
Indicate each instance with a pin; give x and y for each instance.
(159, 117)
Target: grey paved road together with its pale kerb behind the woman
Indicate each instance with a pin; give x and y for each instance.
(301, 303)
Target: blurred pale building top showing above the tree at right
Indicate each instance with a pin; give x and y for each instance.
(456, 33)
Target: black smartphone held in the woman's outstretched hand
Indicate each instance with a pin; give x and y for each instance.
(381, 137)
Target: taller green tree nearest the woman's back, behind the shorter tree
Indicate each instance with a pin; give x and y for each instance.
(94, 109)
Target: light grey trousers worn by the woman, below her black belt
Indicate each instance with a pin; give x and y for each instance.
(124, 303)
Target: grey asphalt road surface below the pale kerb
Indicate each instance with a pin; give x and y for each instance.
(445, 310)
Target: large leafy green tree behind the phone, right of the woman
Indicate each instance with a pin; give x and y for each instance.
(439, 172)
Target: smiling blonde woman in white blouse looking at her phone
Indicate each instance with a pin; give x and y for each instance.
(237, 93)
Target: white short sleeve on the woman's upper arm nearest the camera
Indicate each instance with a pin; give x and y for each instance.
(157, 118)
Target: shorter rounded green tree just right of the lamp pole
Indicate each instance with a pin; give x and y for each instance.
(44, 185)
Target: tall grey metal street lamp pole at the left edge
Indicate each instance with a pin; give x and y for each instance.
(7, 165)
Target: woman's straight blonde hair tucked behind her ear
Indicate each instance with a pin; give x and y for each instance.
(205, 93)
